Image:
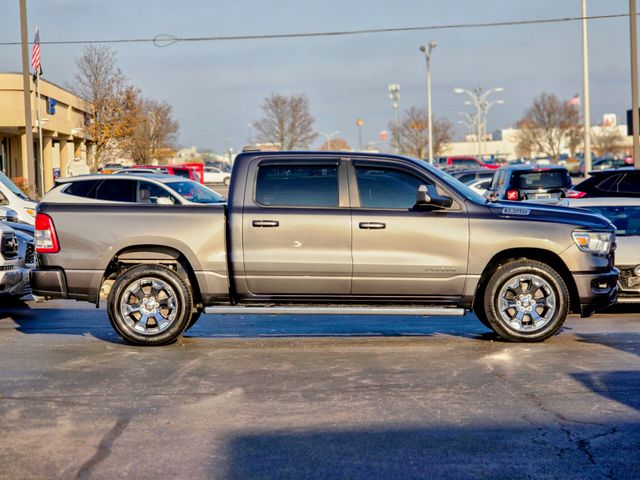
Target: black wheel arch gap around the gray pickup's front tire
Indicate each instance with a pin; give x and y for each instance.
(538, 254)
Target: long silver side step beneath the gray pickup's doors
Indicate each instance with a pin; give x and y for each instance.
(313, 310)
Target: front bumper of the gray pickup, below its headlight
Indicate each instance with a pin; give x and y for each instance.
(596, 290)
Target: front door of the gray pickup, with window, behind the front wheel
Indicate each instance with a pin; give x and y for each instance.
(399, 250)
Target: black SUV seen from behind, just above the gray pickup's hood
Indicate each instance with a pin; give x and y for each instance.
(523, 183)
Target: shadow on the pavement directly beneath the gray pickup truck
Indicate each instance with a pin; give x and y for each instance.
(94, 322)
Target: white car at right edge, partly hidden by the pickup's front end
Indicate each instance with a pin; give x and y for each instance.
(624, 213)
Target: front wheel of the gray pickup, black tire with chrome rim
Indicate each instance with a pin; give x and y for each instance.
(517, 323)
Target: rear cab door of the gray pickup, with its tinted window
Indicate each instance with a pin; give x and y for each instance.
(296, 229)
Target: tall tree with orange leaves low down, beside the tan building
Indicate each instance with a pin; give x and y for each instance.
(99, 81)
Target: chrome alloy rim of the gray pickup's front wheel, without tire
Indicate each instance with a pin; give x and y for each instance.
(527, 302)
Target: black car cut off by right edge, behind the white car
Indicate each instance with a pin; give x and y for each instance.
(622, 182)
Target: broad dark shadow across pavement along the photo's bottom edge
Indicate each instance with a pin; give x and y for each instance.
(545, 450)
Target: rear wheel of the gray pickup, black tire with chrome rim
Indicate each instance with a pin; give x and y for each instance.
(164, 323)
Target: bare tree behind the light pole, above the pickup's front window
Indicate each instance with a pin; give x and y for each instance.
(411, 133)
